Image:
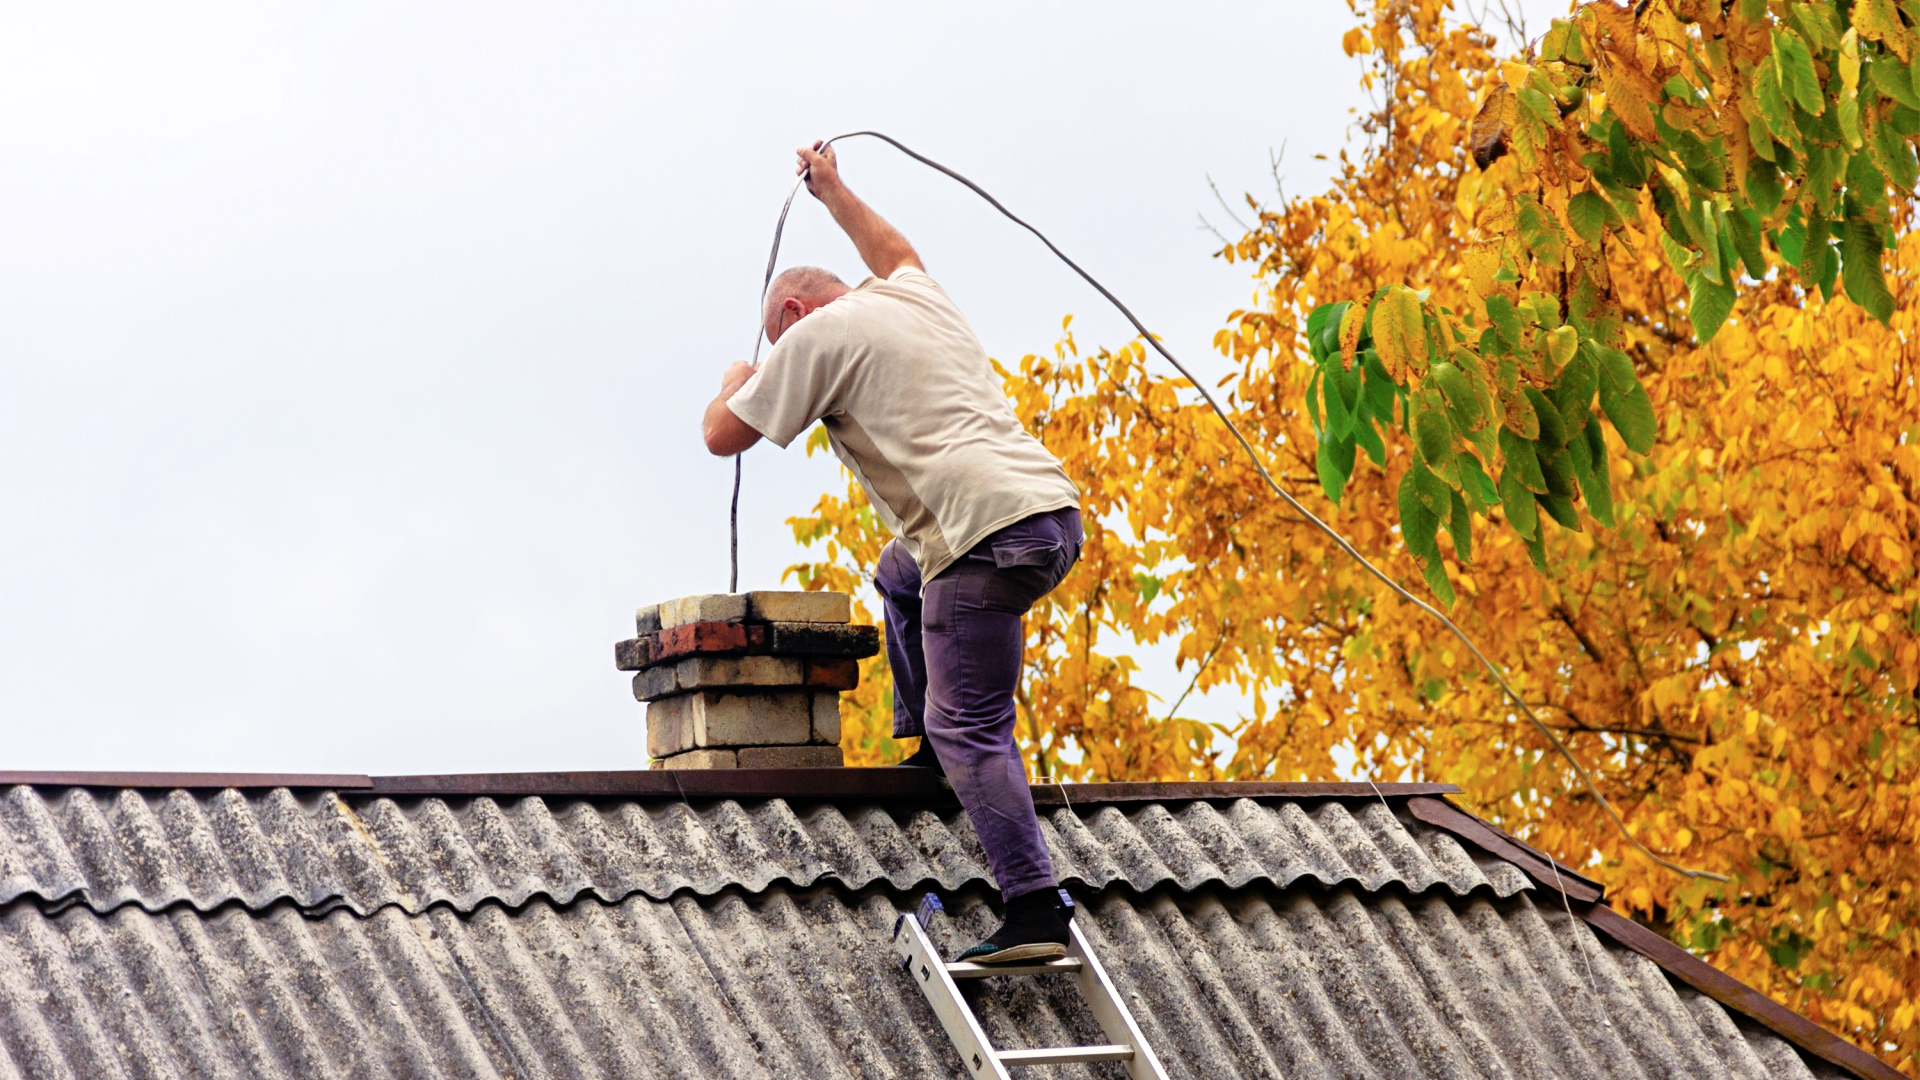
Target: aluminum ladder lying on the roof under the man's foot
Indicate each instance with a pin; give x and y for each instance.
(940, 983)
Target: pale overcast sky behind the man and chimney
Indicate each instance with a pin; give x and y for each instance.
(352, 355)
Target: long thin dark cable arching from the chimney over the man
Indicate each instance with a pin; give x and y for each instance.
(1259, 466)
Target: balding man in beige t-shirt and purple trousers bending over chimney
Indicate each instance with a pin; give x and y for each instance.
(986, 520)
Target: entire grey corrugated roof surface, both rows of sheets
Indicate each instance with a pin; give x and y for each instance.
(327, 933)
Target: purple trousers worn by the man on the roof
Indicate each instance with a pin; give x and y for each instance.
(955, 649)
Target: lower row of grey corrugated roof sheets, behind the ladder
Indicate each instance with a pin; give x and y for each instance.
(1228, 983)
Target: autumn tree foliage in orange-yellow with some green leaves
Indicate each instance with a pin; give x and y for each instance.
(1654, 381)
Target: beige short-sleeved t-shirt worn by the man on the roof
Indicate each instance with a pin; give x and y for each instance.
(915, 412)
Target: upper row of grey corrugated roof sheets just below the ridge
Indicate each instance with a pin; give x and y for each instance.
(324, 850)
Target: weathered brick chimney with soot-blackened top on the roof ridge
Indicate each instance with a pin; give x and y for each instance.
(746, 679)
